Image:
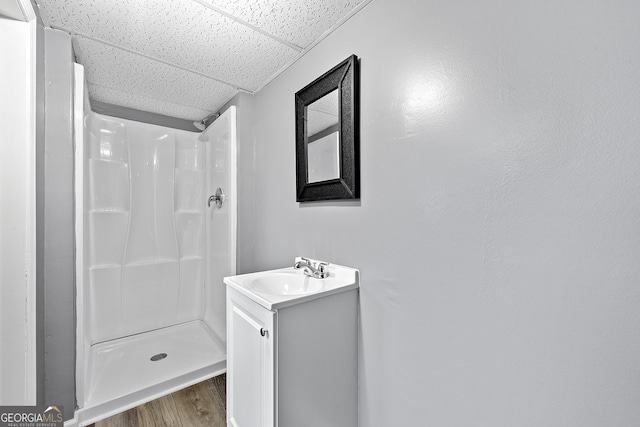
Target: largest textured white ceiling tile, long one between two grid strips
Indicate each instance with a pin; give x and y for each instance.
(176, 31)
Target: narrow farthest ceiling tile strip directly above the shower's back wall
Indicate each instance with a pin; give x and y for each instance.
(125, 99)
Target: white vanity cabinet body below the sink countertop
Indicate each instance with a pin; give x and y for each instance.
(293, 364)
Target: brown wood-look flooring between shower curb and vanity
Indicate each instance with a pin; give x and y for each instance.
(202, 404)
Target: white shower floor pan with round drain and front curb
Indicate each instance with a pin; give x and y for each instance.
(123, 375)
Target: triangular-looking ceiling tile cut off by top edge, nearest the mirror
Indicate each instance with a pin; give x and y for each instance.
(298, 22)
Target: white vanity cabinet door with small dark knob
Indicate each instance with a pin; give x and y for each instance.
(250, 363)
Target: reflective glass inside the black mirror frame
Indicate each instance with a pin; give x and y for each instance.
(323, 138)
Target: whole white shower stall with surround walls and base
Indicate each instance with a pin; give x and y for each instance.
(151, 255)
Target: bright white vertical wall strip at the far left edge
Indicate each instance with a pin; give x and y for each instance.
(17, 214)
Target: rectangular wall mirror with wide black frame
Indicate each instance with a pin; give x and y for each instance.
(328, 134)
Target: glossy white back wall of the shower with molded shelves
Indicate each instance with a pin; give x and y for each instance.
(145, 227)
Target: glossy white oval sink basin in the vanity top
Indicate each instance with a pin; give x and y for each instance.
(286, 283)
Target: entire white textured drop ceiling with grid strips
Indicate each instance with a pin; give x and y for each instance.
(187, 58)
